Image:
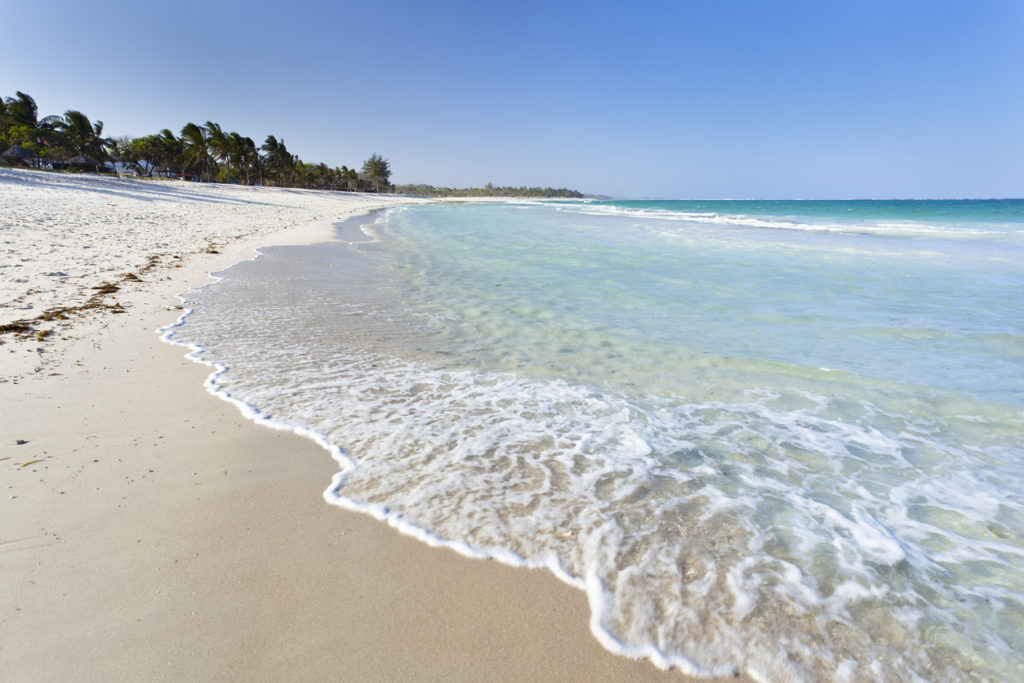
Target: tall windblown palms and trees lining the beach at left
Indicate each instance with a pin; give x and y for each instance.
(206, 153)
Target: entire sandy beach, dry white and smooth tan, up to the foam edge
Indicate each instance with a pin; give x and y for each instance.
(152, 533)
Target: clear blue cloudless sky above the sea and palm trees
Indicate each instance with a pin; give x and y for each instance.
(716, 99)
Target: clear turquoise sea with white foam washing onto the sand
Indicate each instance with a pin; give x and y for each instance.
(779, 438)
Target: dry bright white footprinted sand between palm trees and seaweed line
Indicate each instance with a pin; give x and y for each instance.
(63, 236)
